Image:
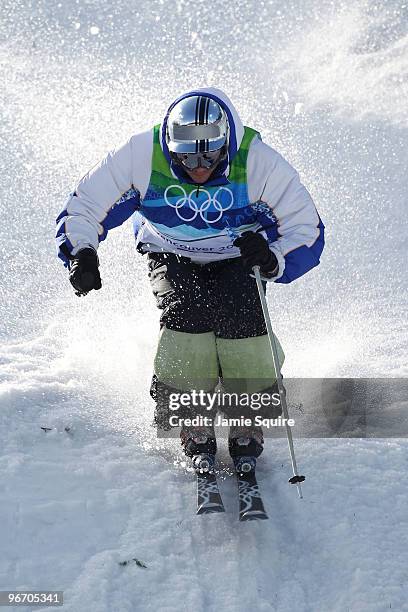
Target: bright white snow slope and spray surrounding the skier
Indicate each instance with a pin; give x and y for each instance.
(325, 84)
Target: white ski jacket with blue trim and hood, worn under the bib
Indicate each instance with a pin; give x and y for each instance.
(113, 191)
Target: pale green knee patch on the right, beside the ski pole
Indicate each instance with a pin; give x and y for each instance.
(247, 364)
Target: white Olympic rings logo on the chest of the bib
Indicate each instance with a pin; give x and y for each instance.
(190, 203)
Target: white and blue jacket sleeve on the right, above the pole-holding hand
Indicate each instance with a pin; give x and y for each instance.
(287, 213)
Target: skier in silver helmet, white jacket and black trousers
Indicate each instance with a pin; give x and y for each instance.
(209, 201)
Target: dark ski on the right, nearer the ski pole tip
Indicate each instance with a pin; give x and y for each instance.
(251, 506)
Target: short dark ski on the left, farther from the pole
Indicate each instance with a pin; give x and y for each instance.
(208, 495)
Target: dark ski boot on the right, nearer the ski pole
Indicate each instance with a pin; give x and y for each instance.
(245, 445)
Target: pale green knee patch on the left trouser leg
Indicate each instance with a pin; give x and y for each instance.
(187, 361)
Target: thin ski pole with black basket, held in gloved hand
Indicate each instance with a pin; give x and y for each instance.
(296, 479)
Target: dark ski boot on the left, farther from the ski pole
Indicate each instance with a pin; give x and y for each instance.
(200, 445)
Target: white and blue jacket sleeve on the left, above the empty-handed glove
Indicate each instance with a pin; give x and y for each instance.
(105, 197)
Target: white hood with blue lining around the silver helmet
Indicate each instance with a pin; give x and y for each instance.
(236, 134)
